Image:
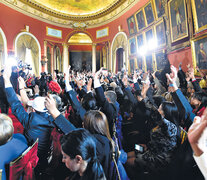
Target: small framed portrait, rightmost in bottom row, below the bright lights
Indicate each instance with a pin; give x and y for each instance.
(161, 61)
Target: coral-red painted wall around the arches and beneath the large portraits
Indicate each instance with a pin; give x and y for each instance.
(13, 22)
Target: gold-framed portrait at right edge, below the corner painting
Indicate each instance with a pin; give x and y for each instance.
(199, 52)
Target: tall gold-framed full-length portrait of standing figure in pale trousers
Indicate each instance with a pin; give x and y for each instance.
(178, 19)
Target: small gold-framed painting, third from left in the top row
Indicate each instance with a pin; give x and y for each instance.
(149, 13)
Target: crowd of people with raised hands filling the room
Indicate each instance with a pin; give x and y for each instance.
(107, 126)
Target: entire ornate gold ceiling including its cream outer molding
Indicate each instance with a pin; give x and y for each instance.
(73, 13)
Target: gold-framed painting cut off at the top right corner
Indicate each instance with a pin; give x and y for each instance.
(199, 8)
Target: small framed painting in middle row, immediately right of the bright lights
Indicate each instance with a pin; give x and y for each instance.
(160, 33)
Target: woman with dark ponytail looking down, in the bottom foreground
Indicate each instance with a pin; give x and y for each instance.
(79, 155)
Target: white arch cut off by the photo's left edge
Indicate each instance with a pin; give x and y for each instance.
(3, 48)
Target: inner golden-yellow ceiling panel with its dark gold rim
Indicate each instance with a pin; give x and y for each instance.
(75, 9)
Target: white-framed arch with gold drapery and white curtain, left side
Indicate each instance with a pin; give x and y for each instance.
(27, 49)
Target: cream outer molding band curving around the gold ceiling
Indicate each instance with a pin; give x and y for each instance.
(114, 13)
